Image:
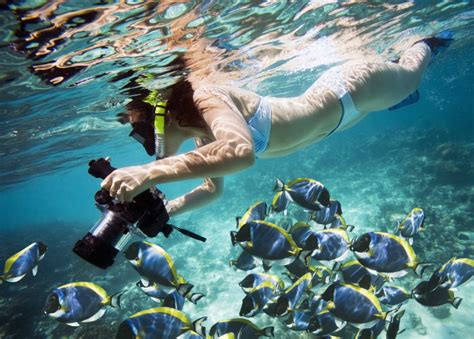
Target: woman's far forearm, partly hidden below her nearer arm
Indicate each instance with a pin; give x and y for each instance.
(202, 195)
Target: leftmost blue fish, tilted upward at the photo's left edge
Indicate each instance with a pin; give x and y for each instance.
(21, 263)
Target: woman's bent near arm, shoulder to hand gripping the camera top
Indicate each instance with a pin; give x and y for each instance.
(231, 151)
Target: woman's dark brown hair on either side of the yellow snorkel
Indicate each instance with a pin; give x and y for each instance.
(180, 101)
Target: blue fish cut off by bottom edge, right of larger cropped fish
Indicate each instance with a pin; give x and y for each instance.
(241, 328)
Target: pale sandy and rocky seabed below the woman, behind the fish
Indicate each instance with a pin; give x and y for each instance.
(378, 180)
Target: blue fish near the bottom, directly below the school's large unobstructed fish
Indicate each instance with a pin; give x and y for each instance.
(353, 304)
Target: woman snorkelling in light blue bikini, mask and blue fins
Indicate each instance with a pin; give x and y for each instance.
(232, 126)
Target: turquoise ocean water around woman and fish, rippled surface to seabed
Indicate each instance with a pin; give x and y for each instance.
(419, 156)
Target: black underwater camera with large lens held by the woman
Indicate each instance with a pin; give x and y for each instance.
(145, 216)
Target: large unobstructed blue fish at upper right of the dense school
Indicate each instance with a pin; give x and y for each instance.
(386, 253)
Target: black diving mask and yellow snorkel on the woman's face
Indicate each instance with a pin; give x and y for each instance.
(152, 138)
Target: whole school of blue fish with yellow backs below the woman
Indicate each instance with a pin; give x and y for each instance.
(310, 274)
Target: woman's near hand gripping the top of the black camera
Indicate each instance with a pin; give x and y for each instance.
(126, 183)
